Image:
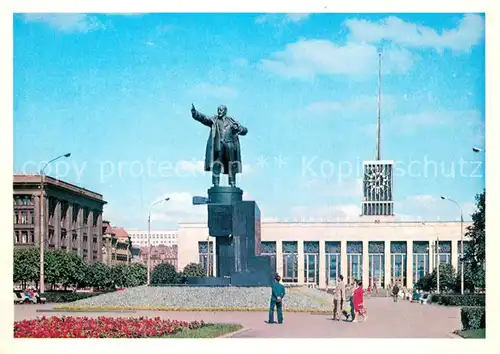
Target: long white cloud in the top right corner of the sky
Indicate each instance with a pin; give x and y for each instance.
(468, 32)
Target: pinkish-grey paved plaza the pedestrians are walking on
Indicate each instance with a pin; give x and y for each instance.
(386, 320)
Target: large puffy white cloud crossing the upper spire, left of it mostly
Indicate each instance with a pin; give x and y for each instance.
(306, 59)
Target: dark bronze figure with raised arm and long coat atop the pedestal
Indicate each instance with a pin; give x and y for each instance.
(223, 153)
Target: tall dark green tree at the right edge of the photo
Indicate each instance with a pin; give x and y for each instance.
(475, 254)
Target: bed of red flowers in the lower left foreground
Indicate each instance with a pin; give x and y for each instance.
(101, 327)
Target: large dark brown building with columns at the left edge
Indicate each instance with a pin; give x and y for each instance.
(73, 216)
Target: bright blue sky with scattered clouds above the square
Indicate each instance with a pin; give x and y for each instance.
(116, 91)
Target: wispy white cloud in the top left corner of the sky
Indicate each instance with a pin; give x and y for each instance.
(67, 22)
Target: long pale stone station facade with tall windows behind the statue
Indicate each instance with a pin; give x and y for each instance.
(354, 244)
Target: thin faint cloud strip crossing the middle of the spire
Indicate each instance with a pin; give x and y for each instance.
(362, 103)
